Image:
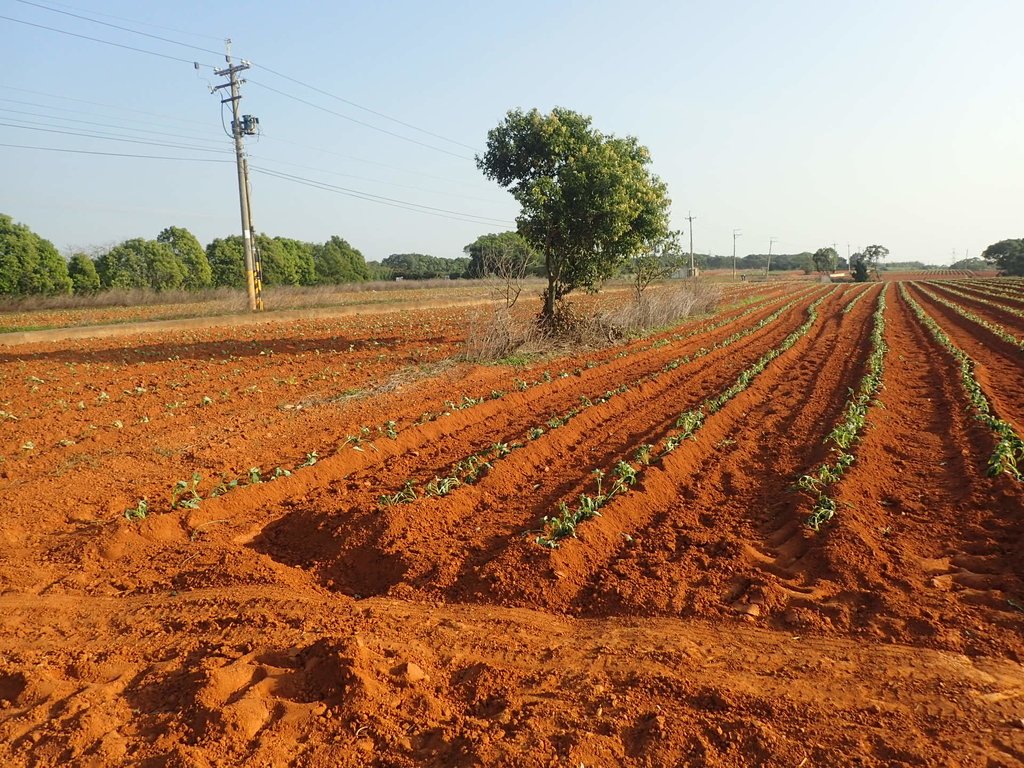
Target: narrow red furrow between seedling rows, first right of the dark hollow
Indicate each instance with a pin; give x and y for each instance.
(480, 521)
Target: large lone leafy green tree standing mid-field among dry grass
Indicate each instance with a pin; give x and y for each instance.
(589, 200)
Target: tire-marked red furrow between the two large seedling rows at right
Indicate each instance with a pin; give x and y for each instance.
(926, 548)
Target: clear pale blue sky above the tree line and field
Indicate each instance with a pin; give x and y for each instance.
(899, 123)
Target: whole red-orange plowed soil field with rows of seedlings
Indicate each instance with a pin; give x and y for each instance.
(340, 562)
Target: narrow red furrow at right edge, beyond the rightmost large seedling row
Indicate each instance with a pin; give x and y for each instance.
(999, 366)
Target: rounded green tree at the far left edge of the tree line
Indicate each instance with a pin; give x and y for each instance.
(30, 265)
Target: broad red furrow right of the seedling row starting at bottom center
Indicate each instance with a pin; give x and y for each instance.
(718, 539)
